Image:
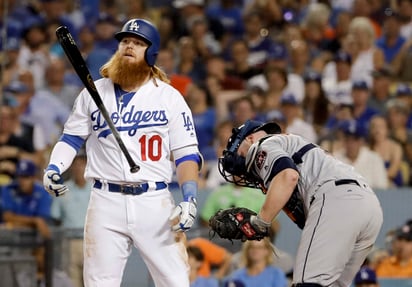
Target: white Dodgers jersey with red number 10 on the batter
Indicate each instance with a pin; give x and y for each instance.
(152, 122)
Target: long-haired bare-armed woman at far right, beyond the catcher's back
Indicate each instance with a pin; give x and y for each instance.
(390, 151)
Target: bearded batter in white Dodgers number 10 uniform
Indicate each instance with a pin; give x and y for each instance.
(132, 209)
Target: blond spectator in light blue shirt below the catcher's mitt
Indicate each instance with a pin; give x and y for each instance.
(257, 268)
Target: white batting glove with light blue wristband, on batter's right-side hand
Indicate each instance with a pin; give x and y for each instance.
(187, 209)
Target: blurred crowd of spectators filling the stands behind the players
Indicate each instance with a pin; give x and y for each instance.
(335, 72)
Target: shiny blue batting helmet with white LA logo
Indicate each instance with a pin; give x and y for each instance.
(145, 30)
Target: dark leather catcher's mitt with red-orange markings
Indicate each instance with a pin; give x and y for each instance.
(235, 224)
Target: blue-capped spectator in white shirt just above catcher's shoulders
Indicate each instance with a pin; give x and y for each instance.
(292, 111)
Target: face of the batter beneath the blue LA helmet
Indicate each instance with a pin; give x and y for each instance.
(132, 49)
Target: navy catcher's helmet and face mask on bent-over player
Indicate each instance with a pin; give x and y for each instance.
(231, 165)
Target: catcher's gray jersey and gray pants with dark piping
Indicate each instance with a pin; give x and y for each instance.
(343, 214)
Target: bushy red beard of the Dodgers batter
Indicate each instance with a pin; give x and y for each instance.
(127, 74)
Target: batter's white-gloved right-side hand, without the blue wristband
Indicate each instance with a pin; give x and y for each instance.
(185, 212)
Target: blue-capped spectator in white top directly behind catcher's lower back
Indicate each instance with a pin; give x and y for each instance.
(356, 153)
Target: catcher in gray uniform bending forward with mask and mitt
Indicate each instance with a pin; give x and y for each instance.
(339, 214)
